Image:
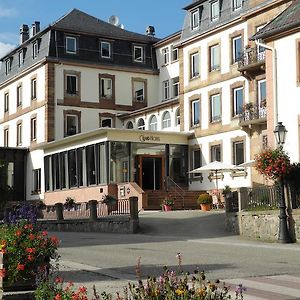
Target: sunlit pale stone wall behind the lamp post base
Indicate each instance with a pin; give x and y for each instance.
(261, 225)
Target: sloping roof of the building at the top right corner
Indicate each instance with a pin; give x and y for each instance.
(288, 19)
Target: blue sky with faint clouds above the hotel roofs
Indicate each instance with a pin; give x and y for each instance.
(165, 15)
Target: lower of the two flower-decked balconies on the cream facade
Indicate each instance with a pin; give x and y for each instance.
(253, 114)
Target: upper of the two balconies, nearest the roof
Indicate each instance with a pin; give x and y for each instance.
(252, 62)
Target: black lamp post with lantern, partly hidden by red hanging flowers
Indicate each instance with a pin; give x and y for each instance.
(283, 235)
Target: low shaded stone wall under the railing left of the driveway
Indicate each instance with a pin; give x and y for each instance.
(114, 224)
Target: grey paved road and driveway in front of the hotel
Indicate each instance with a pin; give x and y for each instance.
(108, 260)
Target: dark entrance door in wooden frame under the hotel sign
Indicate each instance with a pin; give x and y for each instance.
(151, 172)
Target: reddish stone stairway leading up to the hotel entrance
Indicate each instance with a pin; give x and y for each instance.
(155, 198)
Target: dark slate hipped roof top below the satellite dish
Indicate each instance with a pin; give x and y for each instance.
(78, 21)
